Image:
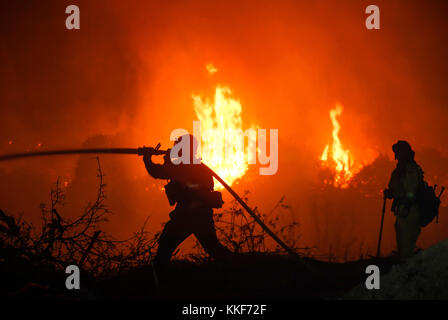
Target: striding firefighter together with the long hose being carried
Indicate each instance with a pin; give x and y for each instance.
(190, 188)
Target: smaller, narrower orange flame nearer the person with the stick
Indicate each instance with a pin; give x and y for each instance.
(336, 157)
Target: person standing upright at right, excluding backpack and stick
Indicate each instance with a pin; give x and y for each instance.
(403, 189)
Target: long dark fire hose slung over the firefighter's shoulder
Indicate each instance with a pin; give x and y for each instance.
(156, 151)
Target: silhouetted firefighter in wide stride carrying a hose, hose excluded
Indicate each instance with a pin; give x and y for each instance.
(190, 186)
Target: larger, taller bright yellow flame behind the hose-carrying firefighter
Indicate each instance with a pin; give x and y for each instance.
(221, 125)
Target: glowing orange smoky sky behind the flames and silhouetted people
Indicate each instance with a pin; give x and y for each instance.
(126, 79)
